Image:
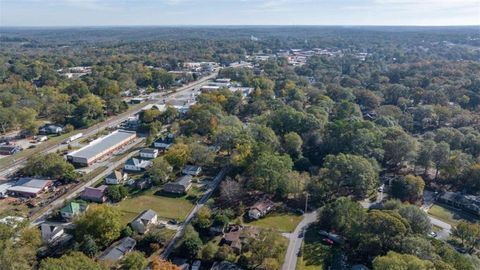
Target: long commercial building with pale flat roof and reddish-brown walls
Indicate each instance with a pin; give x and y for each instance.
(101, 147)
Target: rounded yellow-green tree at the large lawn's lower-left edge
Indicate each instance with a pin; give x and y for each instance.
(102, 222)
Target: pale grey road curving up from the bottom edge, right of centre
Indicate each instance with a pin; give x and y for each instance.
(295, 240)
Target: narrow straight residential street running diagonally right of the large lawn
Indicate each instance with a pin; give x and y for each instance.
(213, 185)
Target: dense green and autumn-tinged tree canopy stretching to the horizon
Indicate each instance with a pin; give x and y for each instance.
(334, 129)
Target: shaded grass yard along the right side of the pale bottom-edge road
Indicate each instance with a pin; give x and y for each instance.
(313, 251)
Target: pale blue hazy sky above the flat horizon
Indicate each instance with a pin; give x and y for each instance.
(238, 12)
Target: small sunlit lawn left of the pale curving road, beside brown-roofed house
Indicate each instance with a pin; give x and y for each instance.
(286, 222)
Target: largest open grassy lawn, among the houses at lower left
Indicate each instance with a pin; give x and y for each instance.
(166, 207)
